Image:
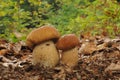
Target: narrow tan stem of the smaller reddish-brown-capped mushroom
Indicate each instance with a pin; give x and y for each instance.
(70, 57)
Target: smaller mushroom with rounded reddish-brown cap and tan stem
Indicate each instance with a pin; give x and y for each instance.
(69, 46)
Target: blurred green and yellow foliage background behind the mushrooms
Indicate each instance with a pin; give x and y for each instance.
(19, 17)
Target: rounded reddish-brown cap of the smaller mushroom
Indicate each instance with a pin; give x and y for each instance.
(67, 41)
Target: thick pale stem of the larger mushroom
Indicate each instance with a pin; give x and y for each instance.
(45, 54)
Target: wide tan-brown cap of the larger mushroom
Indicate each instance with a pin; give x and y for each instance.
(41, 34)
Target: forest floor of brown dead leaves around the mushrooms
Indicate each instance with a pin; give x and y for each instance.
(99, 59)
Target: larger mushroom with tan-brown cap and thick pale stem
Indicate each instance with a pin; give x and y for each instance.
(42, 40)
